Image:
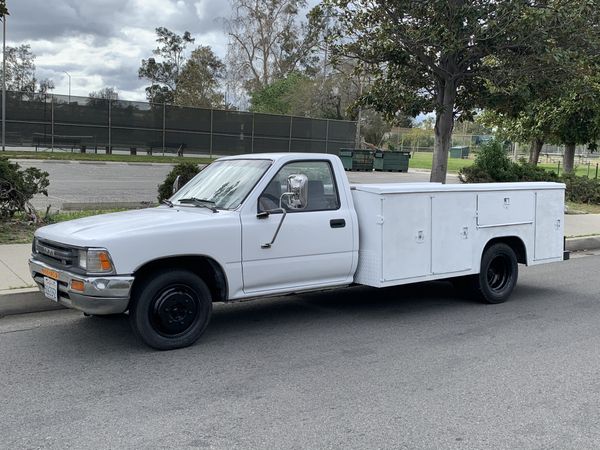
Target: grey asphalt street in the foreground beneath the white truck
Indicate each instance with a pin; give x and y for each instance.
(409, 367)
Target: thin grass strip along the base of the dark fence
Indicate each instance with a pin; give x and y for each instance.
(68, 156)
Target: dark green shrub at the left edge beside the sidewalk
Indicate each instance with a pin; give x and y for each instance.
(18, 186)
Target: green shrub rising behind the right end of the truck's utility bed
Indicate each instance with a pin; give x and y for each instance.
(492, 164)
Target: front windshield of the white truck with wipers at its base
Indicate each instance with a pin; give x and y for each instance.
(224, 183)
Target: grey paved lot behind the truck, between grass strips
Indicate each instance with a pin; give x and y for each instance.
(127, 182)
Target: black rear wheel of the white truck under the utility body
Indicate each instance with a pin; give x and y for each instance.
(496, 279)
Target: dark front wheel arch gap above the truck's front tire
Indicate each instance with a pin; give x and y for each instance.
(204, 266)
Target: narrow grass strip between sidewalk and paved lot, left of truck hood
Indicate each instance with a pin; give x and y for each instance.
(20, 231)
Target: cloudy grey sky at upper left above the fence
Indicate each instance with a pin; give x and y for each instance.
(101, 42)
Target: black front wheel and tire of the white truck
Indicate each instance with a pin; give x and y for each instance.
(171, 309)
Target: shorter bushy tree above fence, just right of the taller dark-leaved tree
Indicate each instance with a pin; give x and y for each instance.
(198, 83)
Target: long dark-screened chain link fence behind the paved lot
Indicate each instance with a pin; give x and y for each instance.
(60, 122)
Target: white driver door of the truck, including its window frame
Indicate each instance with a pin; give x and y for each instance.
(314, 247)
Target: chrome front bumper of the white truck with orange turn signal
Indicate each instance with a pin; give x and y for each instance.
(101, 294)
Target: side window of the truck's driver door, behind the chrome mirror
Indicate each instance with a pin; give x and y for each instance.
(322, 191)
